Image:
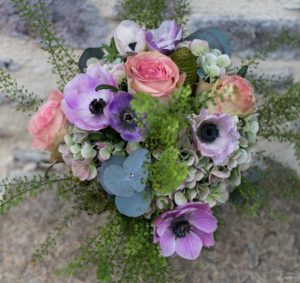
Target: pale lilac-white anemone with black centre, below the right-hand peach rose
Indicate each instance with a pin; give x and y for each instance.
(216, 136)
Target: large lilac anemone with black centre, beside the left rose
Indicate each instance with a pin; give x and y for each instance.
(83, 105)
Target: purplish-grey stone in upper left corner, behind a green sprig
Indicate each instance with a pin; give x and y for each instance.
(77, 21)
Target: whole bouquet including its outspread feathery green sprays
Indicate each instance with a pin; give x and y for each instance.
(155, 134)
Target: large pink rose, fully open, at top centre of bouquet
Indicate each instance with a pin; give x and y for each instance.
(153, 73)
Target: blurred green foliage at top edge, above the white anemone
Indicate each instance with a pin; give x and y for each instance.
(151, 13)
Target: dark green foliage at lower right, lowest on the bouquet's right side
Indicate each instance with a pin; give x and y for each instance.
(260, 188)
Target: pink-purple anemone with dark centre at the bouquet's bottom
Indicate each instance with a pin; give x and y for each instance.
(185, 230)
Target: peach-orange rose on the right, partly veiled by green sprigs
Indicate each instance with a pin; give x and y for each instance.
(235, 95)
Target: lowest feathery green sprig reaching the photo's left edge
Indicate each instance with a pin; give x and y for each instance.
(19, 189)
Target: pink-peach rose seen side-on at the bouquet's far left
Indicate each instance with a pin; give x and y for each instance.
(47, 124)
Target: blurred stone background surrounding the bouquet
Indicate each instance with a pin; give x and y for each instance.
(248, 250)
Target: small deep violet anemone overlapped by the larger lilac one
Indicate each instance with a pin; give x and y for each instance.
(122, 117)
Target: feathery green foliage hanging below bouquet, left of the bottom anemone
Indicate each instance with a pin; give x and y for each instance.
(123, 251)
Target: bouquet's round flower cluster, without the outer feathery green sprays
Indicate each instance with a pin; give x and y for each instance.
(162, 125)
